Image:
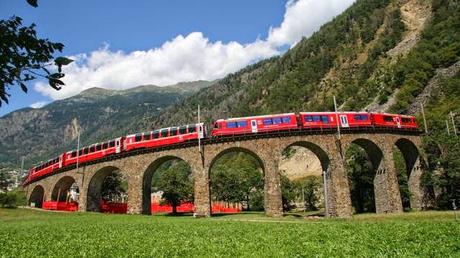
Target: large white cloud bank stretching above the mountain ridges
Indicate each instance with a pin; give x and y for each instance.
(191, 57)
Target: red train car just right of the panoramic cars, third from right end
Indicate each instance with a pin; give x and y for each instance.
(254, 124)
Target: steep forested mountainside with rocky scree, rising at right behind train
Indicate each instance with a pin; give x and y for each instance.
(378, 55)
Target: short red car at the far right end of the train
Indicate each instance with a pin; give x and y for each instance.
(394, 121)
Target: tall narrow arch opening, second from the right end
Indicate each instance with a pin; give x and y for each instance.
(365, 171)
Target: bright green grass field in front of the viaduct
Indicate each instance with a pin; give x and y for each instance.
(25, 232)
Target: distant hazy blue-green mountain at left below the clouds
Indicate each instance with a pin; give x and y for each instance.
(39, 134)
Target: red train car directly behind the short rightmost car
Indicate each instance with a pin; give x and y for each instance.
(327, 120)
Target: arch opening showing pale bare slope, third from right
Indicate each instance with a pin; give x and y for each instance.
(302, 183)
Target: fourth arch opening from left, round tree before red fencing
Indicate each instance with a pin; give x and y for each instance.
(168, 187)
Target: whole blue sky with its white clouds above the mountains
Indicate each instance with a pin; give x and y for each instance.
(122, 44)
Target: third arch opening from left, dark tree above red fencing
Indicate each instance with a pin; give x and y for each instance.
(108, 191)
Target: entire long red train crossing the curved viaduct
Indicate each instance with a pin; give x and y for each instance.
(224, 128)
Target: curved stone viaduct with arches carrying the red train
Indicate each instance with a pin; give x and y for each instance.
(139, 170)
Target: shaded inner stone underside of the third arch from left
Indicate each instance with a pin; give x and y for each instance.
(95, 187)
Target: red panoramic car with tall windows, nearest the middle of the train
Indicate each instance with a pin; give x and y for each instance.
(164, 136)
